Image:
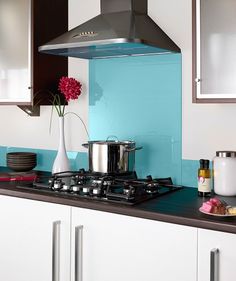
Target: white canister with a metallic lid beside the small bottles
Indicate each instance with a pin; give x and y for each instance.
(224, 173)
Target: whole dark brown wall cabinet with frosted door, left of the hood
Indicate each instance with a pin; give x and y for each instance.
(26, 76)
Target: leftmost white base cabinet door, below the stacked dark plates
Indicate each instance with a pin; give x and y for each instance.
(34, 240)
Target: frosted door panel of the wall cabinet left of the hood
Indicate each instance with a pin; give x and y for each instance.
(15, 50)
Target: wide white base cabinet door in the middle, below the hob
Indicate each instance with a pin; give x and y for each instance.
(116, 247)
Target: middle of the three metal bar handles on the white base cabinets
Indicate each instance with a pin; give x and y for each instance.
(79, 253)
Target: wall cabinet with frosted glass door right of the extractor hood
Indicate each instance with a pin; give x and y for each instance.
(214, 53)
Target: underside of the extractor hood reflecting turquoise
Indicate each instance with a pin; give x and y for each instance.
(109, 50)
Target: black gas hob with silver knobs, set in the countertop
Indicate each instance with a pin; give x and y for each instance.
(125, 189)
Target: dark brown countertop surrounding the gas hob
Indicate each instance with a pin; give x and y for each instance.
(179, 207)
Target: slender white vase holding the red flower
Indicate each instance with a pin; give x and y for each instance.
(61, 162)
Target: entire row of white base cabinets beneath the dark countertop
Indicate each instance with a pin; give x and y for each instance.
(49, 242)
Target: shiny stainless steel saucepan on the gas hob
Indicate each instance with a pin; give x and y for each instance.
(111, 156)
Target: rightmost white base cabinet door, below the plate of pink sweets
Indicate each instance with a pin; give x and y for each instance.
(216, 256)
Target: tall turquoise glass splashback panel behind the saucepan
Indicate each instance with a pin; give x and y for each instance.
(140, 99)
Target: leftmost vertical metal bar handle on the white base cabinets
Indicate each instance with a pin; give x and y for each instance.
(56, 250)
